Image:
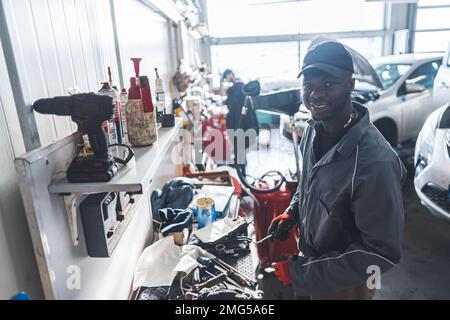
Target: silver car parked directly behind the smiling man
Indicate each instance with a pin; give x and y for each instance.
(400, 104)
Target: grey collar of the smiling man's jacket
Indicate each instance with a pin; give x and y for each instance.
(349, 141)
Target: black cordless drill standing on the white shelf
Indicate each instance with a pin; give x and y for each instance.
(89, 111)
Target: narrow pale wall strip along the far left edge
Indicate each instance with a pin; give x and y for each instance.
(18, 268)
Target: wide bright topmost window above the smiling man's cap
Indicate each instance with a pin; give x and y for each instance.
(234, 18)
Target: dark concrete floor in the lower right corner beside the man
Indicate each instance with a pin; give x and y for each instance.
(424, 271)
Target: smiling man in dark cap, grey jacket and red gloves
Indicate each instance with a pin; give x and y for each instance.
(348, 205)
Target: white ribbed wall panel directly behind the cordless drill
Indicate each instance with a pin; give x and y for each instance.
(59, 44)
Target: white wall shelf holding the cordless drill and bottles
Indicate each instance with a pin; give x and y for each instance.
(135, 179)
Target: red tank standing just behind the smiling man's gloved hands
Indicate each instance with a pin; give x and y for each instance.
(270, 206)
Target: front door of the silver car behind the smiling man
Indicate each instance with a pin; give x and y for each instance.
(415, 96)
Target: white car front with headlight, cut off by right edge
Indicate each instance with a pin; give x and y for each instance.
(432, 163)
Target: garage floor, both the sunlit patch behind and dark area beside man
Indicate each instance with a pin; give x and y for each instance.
(424, 271)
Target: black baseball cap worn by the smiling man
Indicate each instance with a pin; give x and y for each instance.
(330, 57)
